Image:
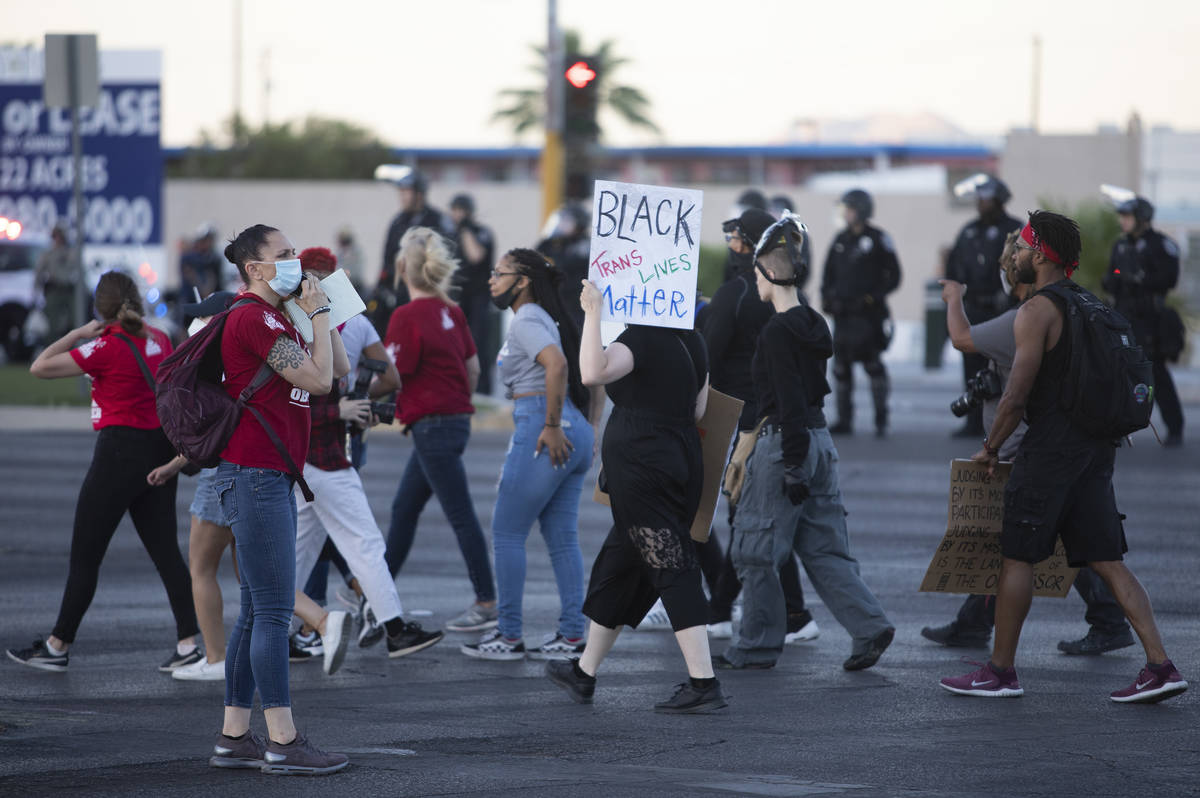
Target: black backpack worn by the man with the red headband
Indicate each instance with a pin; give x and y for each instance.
(1109, 387)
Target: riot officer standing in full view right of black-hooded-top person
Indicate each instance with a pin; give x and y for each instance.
(861, 271)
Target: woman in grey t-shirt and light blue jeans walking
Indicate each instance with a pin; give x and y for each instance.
(549, 457)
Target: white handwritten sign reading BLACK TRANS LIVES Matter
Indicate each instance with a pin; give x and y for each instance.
(646, 254)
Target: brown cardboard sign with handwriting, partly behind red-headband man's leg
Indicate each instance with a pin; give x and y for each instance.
(968, 560)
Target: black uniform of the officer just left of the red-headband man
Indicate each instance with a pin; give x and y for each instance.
(975, 262)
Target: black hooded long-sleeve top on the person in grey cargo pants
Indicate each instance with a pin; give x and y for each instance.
(790, 376)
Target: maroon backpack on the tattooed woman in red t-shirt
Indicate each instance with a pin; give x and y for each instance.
(197, 415)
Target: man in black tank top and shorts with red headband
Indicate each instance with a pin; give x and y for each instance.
(1061, 483)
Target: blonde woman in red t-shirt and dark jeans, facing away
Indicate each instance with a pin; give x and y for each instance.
(430, 343)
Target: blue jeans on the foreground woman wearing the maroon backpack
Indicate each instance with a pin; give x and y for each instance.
(259, 505)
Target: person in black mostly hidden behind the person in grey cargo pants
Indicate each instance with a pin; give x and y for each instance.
(734, 321)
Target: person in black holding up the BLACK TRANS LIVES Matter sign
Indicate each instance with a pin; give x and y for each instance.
(658, 381)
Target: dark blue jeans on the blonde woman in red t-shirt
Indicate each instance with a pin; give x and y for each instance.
(436, 467)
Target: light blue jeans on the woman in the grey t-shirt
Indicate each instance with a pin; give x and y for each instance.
(533, 490)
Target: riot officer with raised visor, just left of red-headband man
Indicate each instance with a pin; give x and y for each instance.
(975, 262)
